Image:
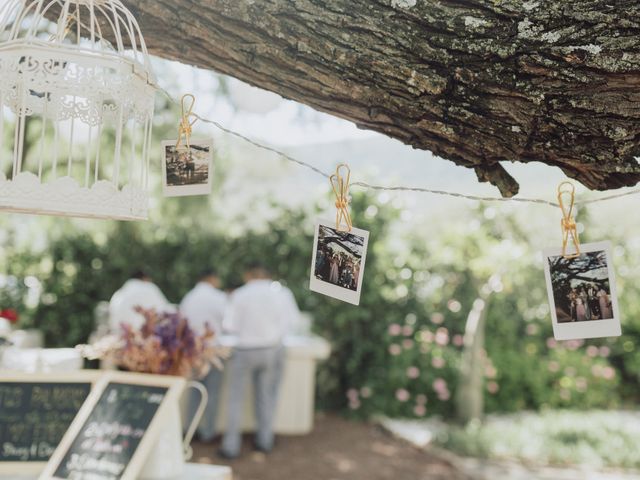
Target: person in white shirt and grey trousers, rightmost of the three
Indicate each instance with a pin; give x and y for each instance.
(260, 314)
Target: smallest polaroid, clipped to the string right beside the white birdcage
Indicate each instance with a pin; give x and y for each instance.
(187, 171)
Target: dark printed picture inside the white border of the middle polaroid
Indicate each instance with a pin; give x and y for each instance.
(338, 257)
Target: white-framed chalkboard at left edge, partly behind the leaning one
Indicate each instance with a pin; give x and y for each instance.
(36, 409)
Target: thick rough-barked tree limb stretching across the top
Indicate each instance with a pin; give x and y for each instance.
(474, 81)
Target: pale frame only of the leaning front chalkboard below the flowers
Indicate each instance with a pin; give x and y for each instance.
(175, 387)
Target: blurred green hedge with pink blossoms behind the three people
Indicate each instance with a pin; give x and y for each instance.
(399, 352)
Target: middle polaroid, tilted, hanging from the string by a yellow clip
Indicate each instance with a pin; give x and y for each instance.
(338, 260)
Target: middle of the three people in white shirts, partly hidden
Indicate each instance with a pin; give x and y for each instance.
(204, 306)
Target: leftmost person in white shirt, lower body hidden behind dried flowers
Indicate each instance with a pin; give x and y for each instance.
(138, 291)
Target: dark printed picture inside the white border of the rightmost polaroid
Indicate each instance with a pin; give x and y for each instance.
(581, 287)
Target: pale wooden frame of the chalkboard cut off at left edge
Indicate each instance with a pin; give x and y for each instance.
(82, 376)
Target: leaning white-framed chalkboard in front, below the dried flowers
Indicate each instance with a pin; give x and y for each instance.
(116, 428)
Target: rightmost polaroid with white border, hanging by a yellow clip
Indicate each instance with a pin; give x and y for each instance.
(582, 293)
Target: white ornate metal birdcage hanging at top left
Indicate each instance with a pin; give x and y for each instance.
(76, 107)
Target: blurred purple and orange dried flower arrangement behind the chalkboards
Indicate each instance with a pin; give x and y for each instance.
(165, 345)
